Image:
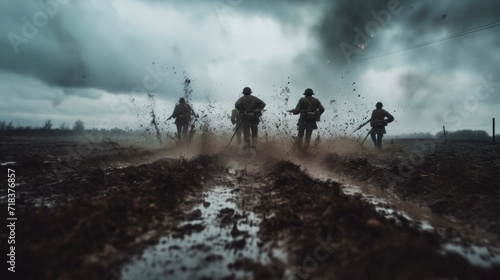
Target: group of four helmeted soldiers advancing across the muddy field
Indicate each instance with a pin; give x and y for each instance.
(248, 110)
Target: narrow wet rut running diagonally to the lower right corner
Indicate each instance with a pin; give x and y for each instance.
(478, 247)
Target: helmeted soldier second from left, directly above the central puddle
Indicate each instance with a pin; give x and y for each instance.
(250, 108)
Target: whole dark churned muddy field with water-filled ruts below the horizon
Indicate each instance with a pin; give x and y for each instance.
(125, 210)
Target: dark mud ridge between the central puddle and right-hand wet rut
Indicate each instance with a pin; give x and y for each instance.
(330, 235)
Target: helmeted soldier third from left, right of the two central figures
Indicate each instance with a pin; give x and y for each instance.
(310, 110)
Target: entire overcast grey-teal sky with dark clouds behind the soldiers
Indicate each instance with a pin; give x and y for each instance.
(108, 63)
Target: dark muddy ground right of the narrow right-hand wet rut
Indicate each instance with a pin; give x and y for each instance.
(458, 180)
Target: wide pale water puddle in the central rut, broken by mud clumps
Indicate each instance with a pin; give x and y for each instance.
(216, 234)
